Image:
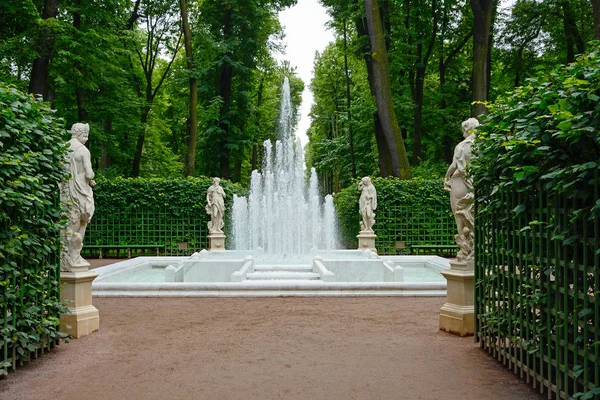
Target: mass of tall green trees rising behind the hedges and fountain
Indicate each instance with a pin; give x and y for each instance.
(191, 87)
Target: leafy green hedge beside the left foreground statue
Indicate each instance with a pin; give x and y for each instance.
(32, 150)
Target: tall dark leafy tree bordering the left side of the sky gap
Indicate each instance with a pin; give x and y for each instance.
(241, 33)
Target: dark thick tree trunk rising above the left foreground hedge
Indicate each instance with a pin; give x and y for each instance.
(38, 82)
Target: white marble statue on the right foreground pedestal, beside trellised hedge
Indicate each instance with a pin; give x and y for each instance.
(460, 186)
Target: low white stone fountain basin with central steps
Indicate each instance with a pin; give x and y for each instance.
(236, 273)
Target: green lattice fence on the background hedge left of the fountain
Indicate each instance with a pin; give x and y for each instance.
(142, 230)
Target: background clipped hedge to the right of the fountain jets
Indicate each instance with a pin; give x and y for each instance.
(413, 212)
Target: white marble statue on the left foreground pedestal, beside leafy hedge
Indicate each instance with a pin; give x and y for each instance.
(78, 195)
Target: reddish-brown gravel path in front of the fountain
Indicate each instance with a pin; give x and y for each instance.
(274, 348)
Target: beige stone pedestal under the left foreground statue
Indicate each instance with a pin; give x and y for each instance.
(77, 291)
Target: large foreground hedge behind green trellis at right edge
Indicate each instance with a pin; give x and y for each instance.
(537, 177)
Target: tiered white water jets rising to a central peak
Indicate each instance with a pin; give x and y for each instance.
(268, 219)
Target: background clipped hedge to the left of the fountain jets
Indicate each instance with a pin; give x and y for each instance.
(165, 212)
